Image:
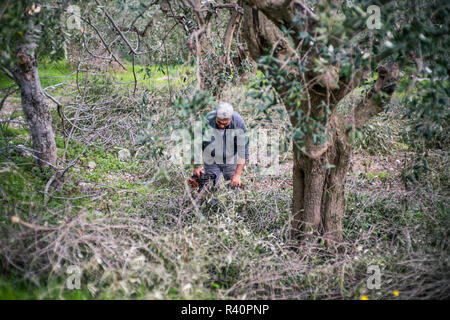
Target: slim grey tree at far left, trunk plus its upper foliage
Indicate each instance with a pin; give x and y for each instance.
(23, 26)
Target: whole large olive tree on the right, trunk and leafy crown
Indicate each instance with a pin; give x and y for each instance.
(313, 54)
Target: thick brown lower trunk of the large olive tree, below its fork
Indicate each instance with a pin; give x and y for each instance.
(319, 185)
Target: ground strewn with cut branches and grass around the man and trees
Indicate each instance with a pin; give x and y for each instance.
(132, 229)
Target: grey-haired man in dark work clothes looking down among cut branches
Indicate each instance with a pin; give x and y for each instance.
(225, 149)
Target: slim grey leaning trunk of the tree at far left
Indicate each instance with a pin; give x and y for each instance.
(33, 100)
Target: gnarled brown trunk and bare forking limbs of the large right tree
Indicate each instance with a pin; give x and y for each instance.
(319, 171)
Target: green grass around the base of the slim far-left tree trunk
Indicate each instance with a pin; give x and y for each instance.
(22, 180)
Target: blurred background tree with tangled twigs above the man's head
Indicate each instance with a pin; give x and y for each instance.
(212, 29)
